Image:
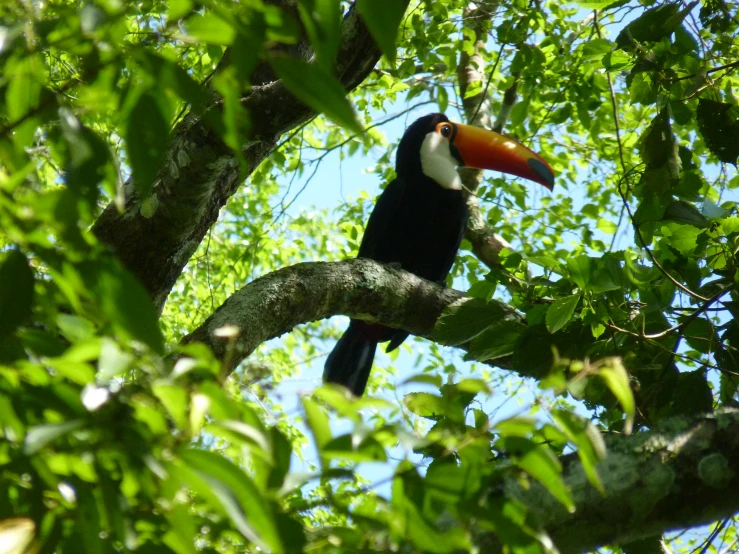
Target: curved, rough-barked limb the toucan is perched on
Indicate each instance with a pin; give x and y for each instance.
(364, 289)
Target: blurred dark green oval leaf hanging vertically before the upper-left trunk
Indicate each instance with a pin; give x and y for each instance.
(147, 133)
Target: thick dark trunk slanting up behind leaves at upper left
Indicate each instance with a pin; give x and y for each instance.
(200, 173)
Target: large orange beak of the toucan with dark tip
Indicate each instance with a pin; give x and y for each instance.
(483, 149)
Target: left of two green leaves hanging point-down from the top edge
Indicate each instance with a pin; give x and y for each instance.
(322, 21)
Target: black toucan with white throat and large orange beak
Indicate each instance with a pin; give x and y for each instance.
(419, 220)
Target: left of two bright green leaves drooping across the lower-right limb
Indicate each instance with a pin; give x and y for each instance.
(540, 462)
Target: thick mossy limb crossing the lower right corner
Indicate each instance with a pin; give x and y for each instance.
(683, 474)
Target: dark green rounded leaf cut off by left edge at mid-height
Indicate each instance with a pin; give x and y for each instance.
(16, 291)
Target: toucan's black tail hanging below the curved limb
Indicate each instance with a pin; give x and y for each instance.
(350, 362)
